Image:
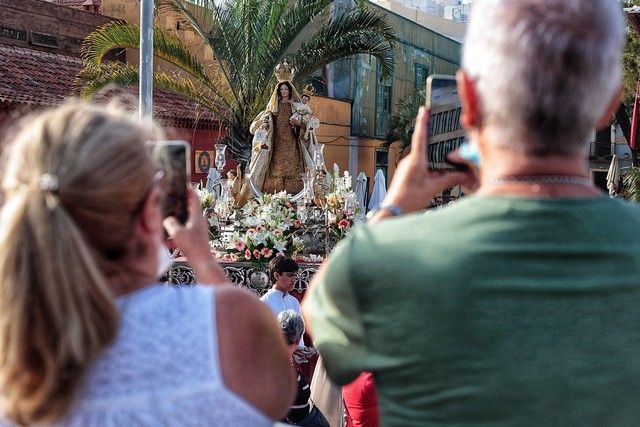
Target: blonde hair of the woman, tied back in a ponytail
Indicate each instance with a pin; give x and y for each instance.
(71, 183)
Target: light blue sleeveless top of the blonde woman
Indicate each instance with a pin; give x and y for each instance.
(163, 369)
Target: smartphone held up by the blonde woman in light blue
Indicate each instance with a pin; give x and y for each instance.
(173, 158)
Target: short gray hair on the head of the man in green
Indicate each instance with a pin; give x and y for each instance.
(545, 69)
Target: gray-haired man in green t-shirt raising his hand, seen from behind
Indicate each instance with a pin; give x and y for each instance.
(518, 305)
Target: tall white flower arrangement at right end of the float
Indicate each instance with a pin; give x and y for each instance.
(342, 205)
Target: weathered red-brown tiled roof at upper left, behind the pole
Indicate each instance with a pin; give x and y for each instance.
(42, 78)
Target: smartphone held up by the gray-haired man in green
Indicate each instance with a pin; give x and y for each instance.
(446, 133)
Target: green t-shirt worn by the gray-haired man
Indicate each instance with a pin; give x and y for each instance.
(493, 311)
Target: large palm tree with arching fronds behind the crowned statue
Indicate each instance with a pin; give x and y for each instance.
(248, 38)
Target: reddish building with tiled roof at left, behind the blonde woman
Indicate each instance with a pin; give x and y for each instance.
(40, 43)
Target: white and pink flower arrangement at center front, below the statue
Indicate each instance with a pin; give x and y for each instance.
(266, 229)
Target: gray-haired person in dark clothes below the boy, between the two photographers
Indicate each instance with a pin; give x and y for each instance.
(302, 411)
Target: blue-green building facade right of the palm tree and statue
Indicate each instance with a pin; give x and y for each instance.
(420, 51)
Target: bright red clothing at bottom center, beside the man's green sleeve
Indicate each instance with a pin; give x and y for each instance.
(361, 402)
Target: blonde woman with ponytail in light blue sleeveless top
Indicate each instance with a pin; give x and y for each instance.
(87, 336)
